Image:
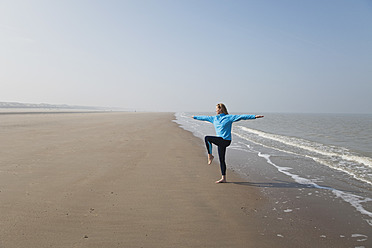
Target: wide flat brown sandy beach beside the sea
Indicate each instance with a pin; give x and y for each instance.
(130, 180)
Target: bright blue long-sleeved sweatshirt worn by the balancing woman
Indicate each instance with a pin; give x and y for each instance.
(223, 123)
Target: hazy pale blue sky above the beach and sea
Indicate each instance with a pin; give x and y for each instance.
(254, 55)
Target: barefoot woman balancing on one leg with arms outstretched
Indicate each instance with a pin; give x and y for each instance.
(222, 123)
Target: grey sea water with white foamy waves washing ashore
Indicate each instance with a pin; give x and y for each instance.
(330, 152)
